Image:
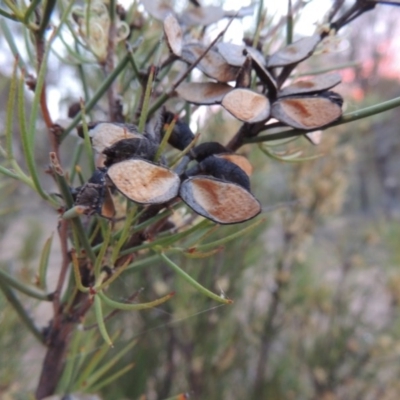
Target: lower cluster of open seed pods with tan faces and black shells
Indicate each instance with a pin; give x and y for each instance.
(211, 180)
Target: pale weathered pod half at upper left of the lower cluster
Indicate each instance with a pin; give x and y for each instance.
(105, 134)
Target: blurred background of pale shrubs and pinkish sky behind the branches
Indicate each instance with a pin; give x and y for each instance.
(316, 287)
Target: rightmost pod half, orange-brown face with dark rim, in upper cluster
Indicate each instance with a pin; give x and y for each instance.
(308, 112)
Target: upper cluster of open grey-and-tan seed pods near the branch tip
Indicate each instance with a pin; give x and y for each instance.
(306, 104)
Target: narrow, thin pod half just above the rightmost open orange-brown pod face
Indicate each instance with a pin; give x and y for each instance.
(316, 84)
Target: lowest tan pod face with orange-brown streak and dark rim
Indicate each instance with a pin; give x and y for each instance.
(221, 201)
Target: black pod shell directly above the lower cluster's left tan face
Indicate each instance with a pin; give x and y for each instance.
(128, 148)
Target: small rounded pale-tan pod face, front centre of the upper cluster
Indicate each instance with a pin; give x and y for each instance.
(246, 105)
